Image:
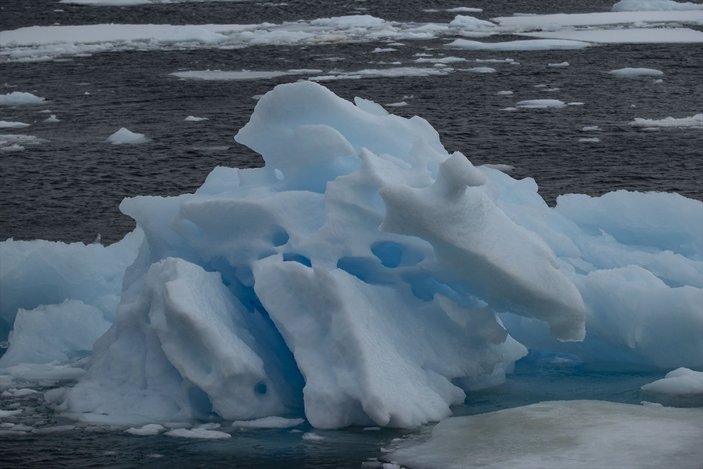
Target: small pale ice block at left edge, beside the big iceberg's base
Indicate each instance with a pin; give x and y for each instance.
(54, 333)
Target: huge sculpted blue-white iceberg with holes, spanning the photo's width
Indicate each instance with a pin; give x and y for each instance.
(363, 276)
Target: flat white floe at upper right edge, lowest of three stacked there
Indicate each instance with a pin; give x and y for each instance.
(625, 36)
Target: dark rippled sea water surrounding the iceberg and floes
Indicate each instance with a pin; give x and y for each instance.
(68, 186)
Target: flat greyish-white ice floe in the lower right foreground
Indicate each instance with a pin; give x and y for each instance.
(578, 434)
